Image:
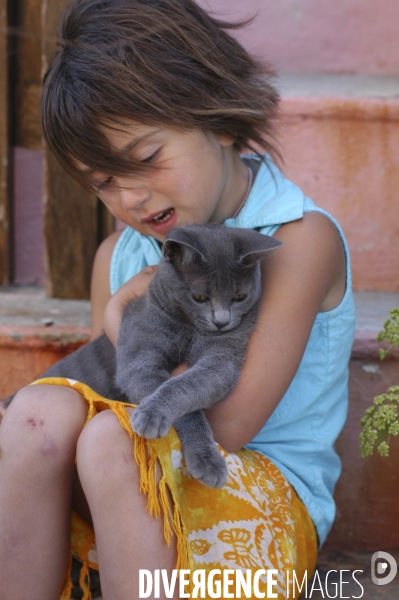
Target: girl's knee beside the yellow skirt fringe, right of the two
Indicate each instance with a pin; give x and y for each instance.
(105, 449)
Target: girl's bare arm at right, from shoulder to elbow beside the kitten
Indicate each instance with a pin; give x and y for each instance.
(303, 277)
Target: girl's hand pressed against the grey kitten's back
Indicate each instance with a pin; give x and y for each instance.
(134, 288)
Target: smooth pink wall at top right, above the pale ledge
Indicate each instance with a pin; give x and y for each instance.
(335, 36)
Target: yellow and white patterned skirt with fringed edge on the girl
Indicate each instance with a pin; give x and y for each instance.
(256, 521)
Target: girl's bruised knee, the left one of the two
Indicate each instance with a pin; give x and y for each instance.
(41, 416)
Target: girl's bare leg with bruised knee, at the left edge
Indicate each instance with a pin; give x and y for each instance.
(38, 437)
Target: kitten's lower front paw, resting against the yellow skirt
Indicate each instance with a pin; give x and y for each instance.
(208, 467)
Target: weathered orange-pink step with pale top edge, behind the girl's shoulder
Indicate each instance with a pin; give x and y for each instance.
(340, 142)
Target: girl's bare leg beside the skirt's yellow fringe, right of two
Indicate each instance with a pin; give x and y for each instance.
(128, 538)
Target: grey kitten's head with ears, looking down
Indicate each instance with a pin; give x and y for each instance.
(212, 273)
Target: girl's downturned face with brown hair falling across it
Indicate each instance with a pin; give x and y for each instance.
(199, 178)
